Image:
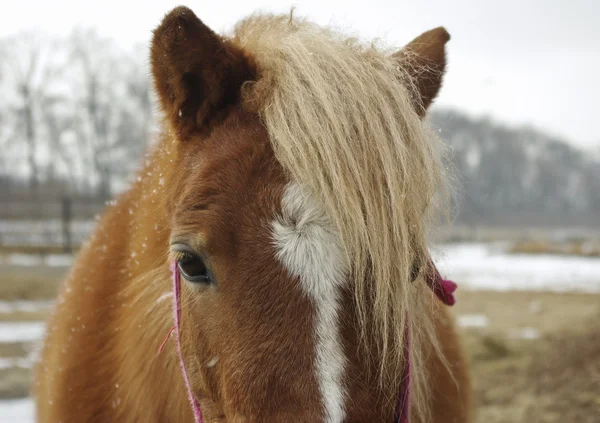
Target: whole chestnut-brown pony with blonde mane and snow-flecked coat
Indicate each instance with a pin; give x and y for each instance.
(292, 188)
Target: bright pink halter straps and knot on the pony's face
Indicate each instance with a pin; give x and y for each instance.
(443, 288)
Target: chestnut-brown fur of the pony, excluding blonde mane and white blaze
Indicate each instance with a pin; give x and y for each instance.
(216, 184)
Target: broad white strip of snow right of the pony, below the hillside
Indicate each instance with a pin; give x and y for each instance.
(489, 267)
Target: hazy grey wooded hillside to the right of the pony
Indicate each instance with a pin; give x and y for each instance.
(513, 176)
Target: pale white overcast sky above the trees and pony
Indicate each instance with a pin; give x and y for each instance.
(521, 61)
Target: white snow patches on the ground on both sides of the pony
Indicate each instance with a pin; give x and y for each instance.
(474, 266)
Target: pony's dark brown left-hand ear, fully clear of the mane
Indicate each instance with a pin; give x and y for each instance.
(197, 74)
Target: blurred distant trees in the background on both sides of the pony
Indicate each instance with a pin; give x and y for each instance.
(77, 112)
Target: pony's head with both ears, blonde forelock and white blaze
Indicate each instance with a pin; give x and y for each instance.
(301, 183)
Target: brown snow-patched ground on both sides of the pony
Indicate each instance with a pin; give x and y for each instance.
(535, 356)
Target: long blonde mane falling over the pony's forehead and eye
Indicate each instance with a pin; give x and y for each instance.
(342, 122)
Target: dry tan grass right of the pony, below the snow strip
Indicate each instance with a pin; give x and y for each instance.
(555, 378)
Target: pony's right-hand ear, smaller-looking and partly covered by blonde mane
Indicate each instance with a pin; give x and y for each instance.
(424, 58)
